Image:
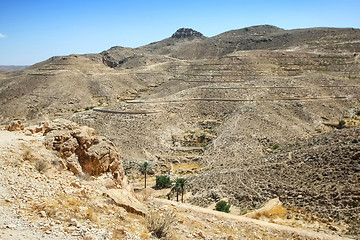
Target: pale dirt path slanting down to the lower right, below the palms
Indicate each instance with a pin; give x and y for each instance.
(252, 224)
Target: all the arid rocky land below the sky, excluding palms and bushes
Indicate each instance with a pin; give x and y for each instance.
(254, 116)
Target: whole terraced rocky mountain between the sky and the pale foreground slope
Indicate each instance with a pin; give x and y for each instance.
(260, 105)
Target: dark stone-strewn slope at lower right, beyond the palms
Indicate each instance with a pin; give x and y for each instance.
(320, 174)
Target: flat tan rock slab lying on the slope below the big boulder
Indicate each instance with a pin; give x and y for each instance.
(127, 201)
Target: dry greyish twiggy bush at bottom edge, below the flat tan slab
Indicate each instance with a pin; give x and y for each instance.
(160, 225)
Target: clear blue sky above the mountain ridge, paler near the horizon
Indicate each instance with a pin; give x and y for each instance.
(32, 31)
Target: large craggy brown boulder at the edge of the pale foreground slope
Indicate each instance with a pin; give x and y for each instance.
(83, 150)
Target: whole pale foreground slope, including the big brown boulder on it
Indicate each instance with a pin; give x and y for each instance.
(42, 197)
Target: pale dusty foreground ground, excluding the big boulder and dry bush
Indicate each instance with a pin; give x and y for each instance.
(45, 203)
